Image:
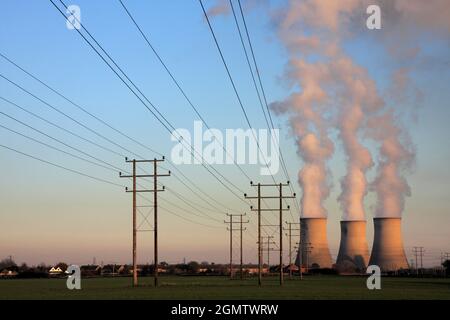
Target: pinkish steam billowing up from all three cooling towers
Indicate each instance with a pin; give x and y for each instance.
(332, 92)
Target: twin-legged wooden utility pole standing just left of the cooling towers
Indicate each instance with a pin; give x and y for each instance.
(280, 209)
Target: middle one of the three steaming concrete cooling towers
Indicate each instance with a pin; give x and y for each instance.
(353, 251)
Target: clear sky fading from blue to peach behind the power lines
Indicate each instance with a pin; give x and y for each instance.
(48, 214)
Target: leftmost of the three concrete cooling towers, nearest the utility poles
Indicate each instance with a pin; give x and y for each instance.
(313, 243)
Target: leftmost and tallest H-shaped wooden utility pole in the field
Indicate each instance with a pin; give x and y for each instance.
(155, 191)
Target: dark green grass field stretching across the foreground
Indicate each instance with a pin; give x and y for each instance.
(196, 287)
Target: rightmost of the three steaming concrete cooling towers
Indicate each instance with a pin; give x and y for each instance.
(387, 249)
